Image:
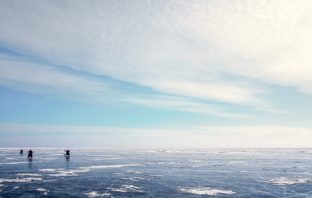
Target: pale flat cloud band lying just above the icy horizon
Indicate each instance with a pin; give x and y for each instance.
(251, 136)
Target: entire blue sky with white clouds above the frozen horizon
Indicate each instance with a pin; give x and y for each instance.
(155, 74)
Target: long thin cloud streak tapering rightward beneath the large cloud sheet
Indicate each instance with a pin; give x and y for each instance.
(48, 80)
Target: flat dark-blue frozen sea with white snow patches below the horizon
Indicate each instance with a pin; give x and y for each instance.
(157, 173)
